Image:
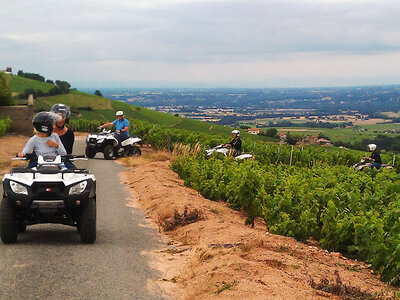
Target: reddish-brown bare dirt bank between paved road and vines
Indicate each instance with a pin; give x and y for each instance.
(218, 257)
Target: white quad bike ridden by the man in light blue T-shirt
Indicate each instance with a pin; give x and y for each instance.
(106, 143)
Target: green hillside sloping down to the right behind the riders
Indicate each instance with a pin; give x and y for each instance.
(92, 107)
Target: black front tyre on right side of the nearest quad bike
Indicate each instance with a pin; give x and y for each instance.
(87, 222)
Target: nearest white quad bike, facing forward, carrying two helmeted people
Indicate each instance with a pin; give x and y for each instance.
(48, 193)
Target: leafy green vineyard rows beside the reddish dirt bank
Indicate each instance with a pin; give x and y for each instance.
(300, 192)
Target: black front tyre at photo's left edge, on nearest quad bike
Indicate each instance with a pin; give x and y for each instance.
(8, 224)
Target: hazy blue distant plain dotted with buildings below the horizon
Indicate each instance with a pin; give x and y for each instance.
(264, 107)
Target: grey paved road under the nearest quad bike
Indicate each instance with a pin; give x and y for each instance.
(49, 261)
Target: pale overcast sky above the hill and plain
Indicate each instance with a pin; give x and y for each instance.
(203, 43)
